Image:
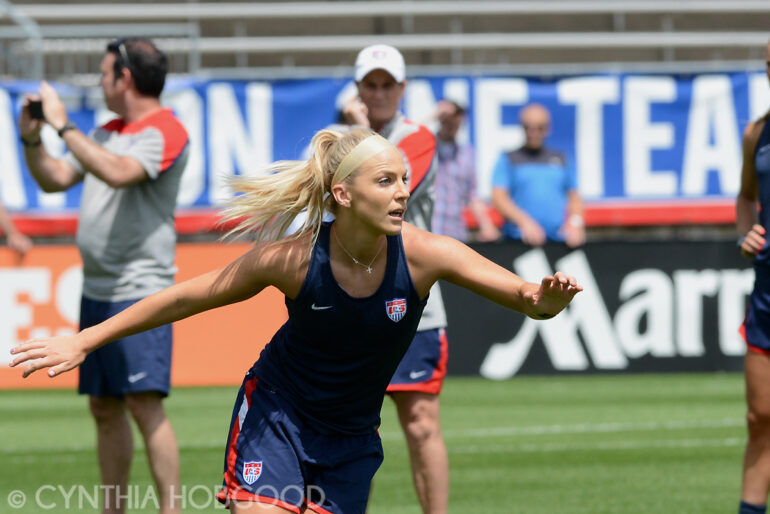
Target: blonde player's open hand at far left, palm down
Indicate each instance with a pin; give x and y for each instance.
(58, 353)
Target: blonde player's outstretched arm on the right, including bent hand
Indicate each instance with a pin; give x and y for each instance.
(443, 258)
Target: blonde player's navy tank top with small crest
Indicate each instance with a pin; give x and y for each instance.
(335, 356)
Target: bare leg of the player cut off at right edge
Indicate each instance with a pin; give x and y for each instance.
(756, 463)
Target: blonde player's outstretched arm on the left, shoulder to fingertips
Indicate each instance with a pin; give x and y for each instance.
(237, 281)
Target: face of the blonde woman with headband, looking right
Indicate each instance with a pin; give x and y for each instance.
(378, 192)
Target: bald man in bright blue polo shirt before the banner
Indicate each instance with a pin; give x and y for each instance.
(535, 189)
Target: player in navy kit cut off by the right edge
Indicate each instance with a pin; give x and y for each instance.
(752, 224)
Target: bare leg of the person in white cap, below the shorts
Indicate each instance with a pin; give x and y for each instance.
(420, 420)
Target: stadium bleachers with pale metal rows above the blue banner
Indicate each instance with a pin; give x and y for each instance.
(295, 38)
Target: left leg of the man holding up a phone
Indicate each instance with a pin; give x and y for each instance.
(115, 447)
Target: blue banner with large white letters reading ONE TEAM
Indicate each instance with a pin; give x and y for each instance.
(630, 136)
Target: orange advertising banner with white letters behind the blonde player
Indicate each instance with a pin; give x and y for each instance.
(41, 298)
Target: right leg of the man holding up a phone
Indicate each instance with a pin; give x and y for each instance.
(162, 450)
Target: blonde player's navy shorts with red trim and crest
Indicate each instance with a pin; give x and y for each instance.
(276, 458)
